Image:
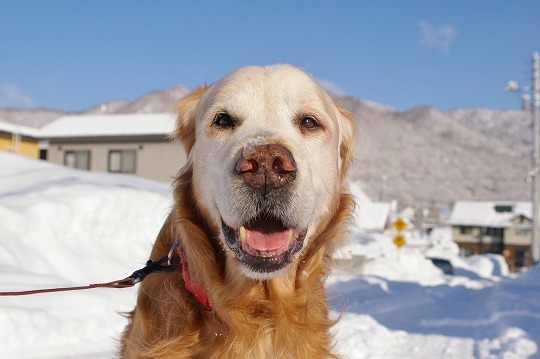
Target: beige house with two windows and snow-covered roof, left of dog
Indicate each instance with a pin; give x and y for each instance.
(134, 144)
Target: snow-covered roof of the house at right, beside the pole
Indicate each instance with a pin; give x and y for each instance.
(488, 213)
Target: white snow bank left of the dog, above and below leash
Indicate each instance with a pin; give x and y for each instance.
(62, 227)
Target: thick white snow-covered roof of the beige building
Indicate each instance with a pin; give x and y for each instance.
(109, 125)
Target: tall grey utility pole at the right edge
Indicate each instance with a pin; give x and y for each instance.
(535, 171)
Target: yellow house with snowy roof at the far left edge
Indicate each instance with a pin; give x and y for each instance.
(19, 139)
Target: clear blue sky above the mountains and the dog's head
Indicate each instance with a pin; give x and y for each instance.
(71, 54)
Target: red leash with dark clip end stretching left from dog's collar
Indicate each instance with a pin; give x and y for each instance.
(134, 278)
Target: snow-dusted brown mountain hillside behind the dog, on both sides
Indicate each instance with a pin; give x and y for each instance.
(422, 157)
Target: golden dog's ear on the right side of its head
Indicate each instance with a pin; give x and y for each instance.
(347, 137)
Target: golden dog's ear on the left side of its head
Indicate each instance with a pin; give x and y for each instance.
(185, 119)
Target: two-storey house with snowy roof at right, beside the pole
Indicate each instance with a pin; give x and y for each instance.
(494, 227)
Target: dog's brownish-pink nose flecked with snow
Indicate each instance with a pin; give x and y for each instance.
(269, 166)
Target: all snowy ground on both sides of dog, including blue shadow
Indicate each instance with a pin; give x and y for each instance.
(60, 227)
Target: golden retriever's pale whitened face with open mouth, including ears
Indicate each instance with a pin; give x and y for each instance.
(268, 149)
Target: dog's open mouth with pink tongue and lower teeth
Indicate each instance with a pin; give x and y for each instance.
(264, 245)
